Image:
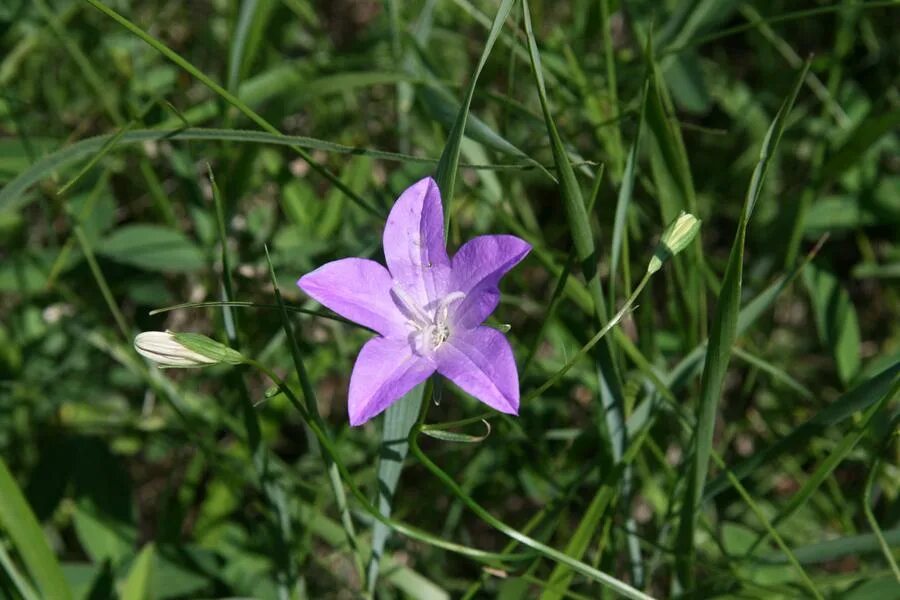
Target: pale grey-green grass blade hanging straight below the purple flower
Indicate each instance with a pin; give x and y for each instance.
(399, 419)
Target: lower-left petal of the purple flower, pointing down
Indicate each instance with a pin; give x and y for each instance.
(385, 370)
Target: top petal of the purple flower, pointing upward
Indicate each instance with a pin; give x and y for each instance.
(414, 245)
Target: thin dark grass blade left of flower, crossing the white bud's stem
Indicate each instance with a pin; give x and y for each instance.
(311, 410)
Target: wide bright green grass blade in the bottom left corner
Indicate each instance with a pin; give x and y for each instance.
(19, 523)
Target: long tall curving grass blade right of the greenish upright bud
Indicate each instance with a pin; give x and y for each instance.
(721, 338)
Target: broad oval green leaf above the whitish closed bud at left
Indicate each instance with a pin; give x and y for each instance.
(152, 247)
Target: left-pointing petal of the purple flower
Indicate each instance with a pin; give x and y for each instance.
(359, 290)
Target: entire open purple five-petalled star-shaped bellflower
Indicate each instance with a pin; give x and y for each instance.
(426, 307)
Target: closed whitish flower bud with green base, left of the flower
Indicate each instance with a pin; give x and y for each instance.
(184, 350)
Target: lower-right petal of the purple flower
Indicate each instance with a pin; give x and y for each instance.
(481, 362)
